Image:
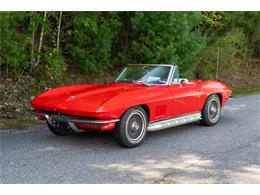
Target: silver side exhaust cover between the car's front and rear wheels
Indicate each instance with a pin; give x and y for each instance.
(168, 123)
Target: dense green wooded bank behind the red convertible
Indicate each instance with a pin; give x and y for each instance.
(40, 50)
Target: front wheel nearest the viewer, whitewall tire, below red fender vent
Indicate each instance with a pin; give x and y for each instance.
(131, 130)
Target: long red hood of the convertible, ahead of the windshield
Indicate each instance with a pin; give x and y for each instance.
(69, 99)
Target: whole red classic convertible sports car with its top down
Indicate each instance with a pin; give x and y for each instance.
(144, 97)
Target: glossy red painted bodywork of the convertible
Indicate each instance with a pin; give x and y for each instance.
(110, 101)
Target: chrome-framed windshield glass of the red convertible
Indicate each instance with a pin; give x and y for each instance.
(146, 74)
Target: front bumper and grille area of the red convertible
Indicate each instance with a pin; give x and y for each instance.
(77, 123)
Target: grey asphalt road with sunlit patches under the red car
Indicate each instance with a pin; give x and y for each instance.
(226, 153)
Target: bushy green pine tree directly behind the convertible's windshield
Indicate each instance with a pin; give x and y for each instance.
(164, 37)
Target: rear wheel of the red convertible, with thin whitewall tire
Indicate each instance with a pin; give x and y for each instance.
(211, 111)
